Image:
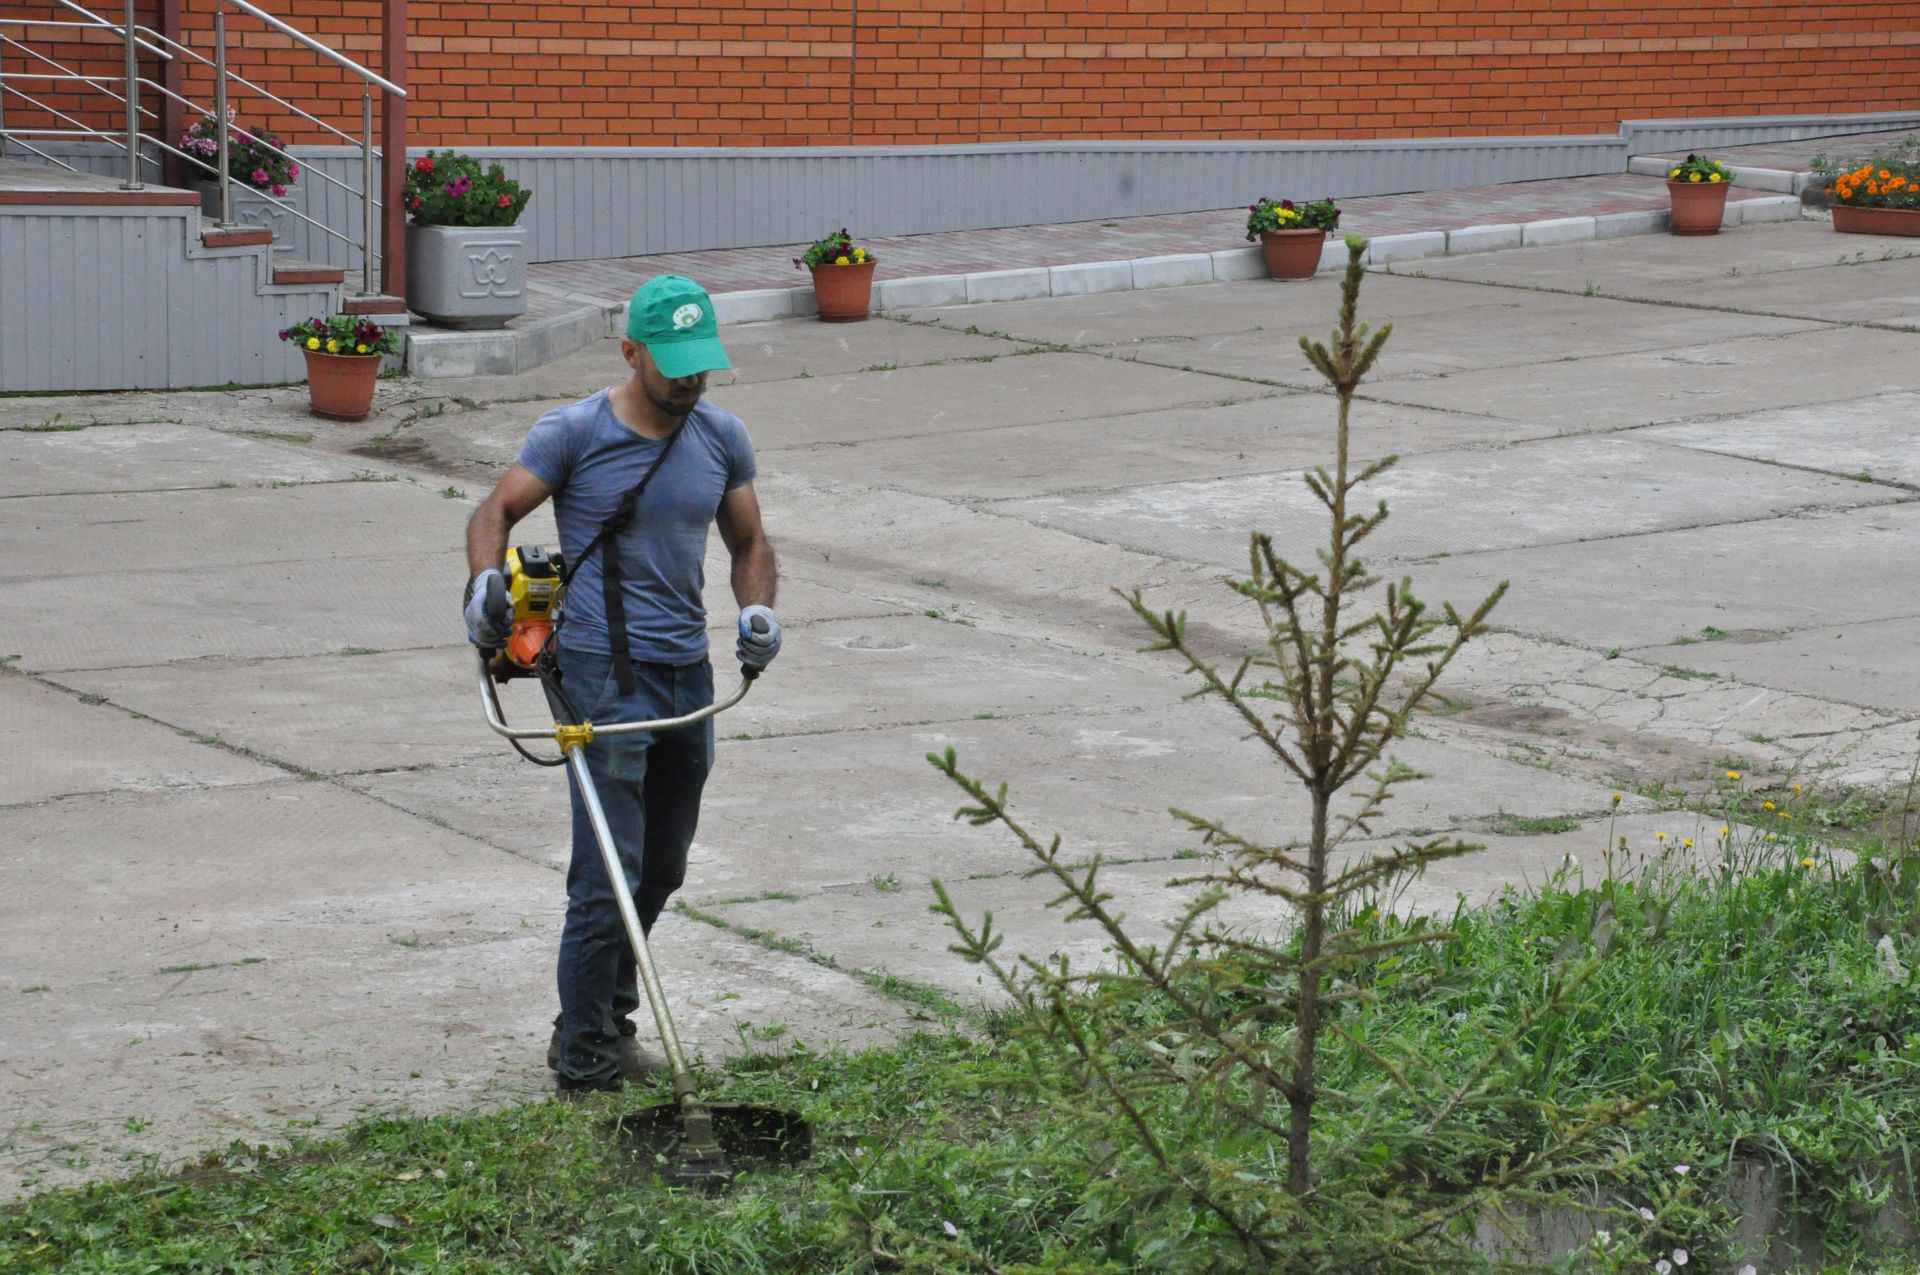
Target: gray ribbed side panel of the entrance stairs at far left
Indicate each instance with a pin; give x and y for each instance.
(128, 299)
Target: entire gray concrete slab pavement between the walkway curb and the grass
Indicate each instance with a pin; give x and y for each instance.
(387, 890)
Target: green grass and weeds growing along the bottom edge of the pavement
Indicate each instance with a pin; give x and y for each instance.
(1764, 999)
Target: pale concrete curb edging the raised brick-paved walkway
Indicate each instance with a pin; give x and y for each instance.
(521, 349)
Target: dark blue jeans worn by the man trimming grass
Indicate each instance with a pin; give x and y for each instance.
(650, 786)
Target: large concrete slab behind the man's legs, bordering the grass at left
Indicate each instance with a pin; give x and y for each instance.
(252, 951)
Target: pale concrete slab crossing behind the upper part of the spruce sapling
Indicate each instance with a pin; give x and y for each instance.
(1460, 502)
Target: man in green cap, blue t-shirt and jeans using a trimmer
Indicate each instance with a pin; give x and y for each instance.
(650, 658)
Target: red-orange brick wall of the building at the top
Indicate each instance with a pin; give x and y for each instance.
(894, 72)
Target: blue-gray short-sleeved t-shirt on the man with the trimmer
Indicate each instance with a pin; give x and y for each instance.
(590, 462)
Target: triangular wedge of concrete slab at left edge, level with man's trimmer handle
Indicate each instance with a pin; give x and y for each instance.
(59, 748)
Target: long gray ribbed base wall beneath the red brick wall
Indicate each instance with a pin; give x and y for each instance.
(623, 203)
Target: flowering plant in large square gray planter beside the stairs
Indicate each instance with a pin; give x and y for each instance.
(466, 249)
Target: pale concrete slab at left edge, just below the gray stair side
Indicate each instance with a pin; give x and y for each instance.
(145, 458)
